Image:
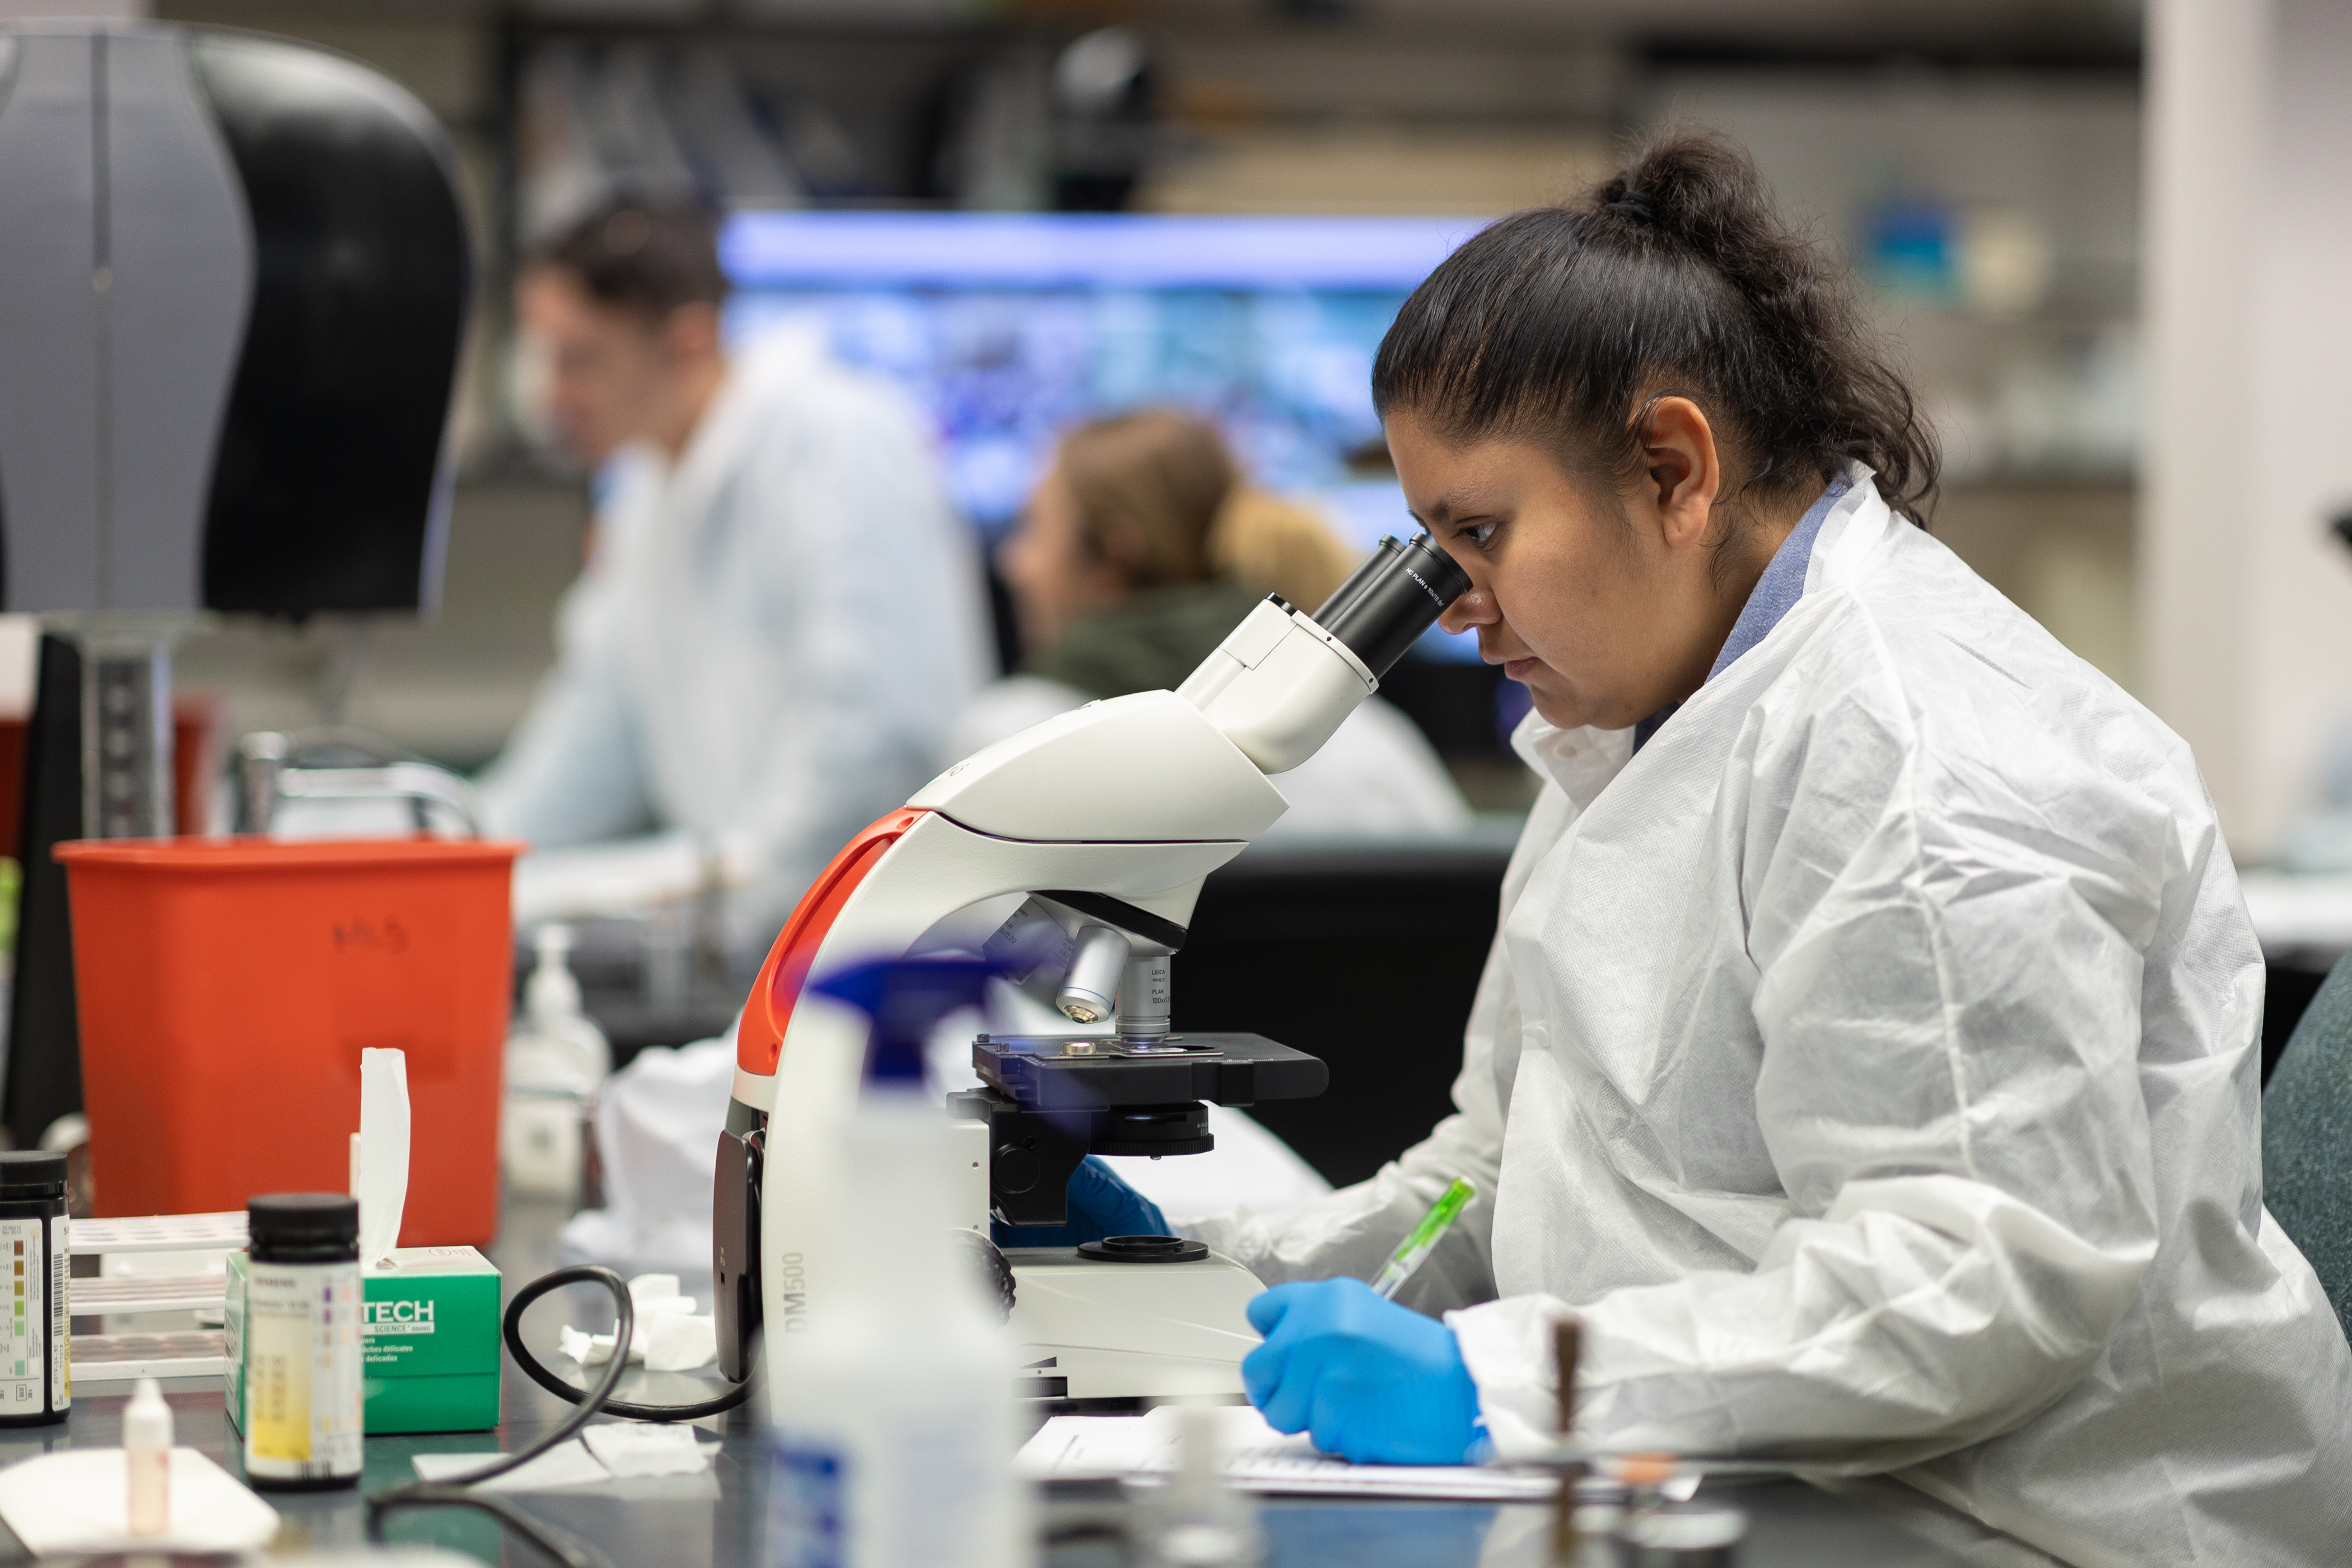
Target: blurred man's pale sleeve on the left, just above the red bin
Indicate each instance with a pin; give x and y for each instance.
(573, 772)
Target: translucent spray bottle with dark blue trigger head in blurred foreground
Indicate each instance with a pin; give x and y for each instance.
(895, 1421)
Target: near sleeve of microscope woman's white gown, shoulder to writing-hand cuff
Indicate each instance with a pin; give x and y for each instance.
(1949, 998)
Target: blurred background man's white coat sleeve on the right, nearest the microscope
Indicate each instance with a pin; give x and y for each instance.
(878, 608)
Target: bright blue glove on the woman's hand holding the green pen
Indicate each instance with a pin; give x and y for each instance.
(1368, 1379)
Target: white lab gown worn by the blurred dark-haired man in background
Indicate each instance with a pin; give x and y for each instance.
(770, 643)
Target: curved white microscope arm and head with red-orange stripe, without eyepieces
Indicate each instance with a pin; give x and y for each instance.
(1038, 810)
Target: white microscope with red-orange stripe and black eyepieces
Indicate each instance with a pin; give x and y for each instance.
(1069, 855)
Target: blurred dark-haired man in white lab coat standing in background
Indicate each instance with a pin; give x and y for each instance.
(780, 615)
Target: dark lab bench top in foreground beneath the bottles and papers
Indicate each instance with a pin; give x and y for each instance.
(688, 1522)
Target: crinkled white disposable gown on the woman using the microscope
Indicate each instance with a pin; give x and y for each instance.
(1871, 1061)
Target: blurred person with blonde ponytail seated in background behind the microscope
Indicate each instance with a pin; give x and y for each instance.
(1135, 558)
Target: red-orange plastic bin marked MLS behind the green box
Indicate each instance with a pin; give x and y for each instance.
(229, 986)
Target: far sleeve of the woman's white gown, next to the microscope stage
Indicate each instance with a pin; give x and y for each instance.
(1358, 1228)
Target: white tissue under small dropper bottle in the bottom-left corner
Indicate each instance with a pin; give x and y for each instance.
(79, 1501)
